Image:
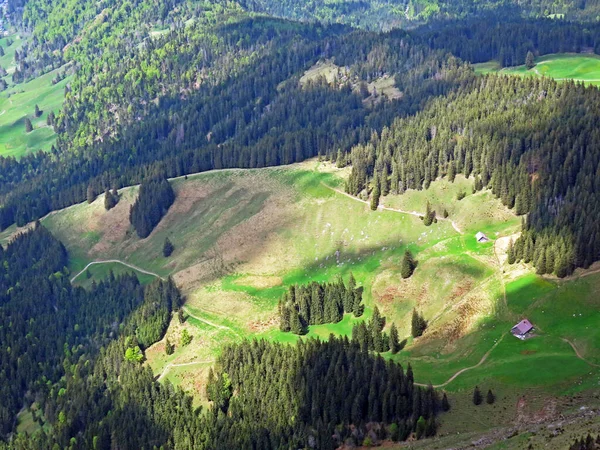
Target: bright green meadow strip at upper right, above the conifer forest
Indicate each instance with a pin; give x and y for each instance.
(560, 66)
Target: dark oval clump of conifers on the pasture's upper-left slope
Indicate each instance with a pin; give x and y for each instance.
(154, 200)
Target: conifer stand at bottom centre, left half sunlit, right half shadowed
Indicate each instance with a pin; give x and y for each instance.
(315, 394)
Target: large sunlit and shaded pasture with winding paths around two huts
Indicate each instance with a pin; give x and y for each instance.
(242, 237)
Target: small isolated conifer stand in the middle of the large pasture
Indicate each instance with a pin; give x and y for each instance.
(317, 303)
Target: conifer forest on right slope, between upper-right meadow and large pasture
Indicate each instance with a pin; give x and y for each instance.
(545, 168)
